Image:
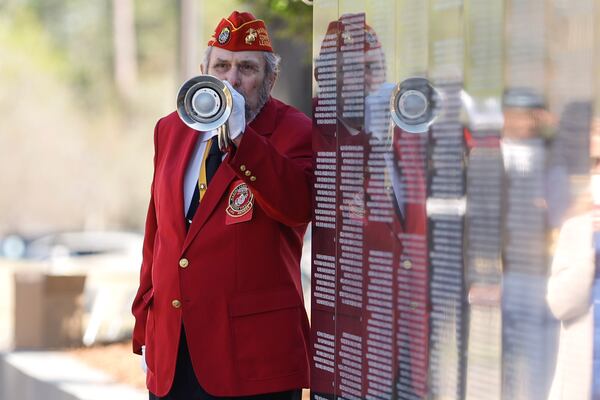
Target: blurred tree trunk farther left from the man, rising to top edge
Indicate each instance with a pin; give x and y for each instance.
(125, 54)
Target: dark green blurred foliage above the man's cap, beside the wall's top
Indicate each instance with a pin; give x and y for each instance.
(288, 19)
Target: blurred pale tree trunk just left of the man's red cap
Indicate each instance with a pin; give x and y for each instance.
(188, 43)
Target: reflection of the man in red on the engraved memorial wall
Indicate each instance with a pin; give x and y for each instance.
(383, 212)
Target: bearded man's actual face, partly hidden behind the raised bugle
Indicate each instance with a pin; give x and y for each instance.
(244, 70)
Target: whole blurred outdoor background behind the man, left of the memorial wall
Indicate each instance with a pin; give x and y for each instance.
(82, 84)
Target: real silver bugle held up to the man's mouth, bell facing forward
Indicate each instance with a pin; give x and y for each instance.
(204, 103)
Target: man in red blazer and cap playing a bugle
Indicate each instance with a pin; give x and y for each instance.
(219, 310)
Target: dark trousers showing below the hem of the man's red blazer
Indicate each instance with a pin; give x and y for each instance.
(186, 386)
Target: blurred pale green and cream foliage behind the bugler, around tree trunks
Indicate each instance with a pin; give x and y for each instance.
(83, 149)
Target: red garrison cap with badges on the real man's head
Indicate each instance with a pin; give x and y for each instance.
(241, 31)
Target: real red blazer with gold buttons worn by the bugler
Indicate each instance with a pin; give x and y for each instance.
(238, 285)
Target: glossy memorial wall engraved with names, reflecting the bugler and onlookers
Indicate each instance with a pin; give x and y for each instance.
(452, 243)
